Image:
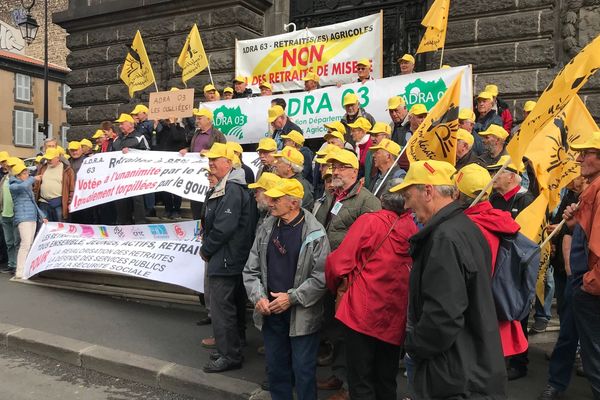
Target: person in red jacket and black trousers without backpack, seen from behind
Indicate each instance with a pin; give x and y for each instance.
(373, 261)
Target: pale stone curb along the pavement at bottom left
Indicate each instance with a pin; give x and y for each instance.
(121, 364)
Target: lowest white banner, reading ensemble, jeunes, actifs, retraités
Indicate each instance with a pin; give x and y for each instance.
(168, 253)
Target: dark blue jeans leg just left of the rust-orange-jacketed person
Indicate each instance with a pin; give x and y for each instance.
(565, 349)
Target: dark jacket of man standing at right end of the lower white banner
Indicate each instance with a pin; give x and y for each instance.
(230, 216)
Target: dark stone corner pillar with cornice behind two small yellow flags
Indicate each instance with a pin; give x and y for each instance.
(100, 31)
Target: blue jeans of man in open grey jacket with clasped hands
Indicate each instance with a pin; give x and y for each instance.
(290, 359)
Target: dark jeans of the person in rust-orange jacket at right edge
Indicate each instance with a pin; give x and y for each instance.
(587, 317)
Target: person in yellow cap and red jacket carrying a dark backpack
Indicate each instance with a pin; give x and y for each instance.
(493, 223)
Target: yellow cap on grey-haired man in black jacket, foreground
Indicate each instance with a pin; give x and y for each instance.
(427, 172)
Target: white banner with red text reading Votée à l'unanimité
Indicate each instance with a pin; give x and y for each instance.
(111, 176)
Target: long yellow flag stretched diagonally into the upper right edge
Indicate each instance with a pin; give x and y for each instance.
(556, 96)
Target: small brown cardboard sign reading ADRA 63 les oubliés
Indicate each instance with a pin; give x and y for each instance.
(171, 104)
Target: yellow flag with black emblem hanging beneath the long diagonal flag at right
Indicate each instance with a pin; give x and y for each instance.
(550, 154)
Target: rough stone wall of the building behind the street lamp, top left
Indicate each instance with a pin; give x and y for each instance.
(57, 49)
